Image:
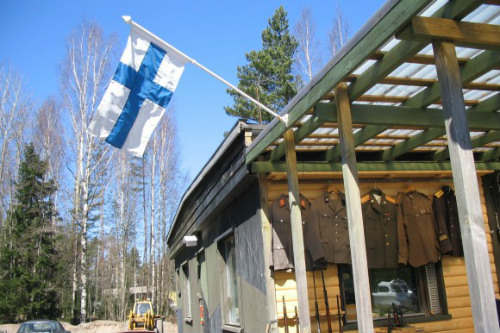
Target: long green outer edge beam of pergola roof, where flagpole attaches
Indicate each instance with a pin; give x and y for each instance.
(394, 16)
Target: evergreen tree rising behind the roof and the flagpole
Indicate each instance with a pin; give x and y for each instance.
(268, 75)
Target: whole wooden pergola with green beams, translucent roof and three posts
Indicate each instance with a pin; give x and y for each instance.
(417, 89)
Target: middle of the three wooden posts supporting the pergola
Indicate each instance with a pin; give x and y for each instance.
(354, 216)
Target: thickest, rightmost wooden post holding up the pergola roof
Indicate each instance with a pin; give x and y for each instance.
(467, 191)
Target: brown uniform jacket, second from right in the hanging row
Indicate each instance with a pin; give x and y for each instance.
(418, 244)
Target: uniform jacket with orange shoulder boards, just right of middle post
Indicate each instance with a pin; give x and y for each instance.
(381, 234)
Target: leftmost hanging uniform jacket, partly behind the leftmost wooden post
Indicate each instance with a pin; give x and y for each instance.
(282, 245)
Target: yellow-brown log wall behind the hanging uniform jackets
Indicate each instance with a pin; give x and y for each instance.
(453, 268)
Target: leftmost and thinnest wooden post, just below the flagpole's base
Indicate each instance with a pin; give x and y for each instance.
(297, 234)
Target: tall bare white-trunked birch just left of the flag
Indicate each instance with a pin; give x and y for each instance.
(85, 73)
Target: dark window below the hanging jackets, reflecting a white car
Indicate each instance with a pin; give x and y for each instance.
(416, 291)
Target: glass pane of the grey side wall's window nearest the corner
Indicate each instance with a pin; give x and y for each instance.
(232, 304)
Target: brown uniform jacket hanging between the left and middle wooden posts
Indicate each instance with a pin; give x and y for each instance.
(328, 233)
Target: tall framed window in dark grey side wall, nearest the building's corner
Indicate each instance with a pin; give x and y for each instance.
(230, 281)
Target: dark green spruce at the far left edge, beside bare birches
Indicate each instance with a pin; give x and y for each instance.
(29, 266)
